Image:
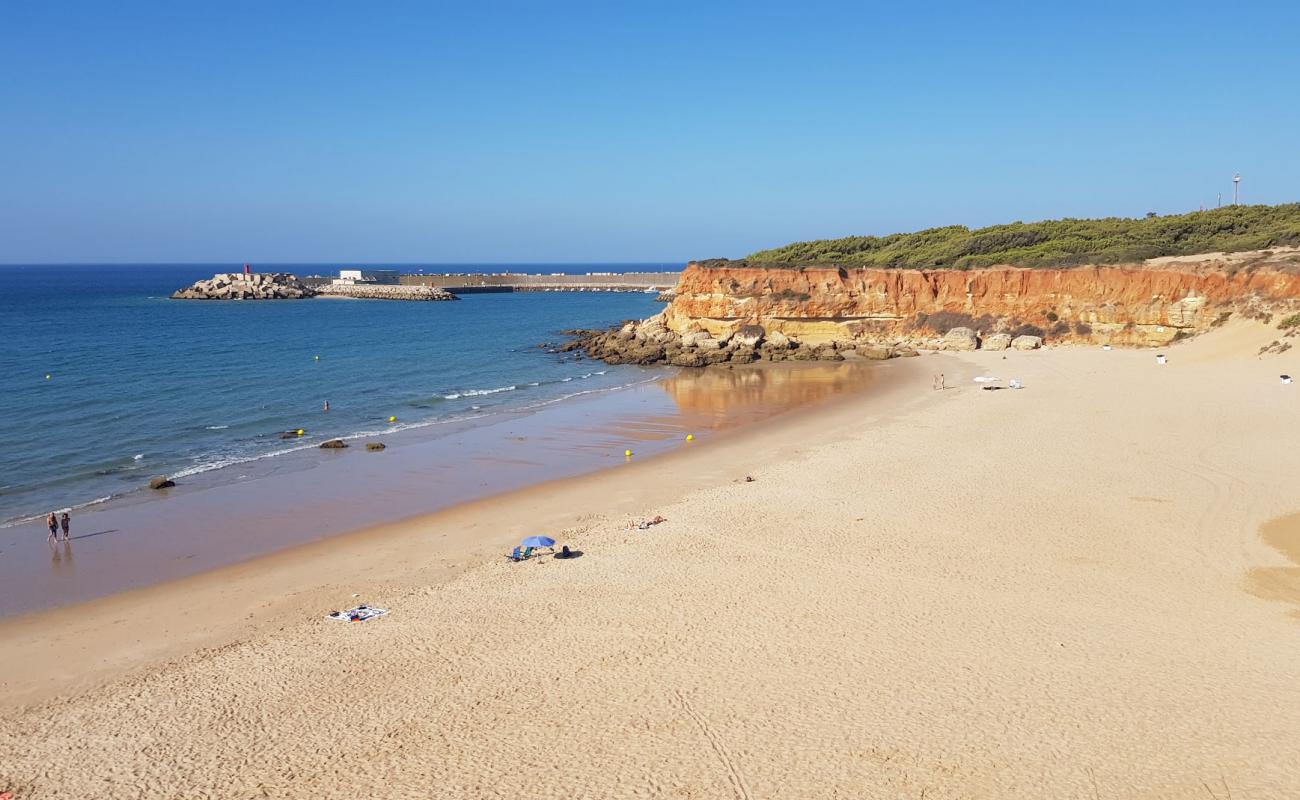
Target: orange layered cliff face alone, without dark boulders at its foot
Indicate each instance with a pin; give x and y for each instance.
(1146, 304)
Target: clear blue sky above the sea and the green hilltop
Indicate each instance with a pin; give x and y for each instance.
(621, 132)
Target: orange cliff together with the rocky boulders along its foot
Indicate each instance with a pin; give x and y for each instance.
(739, 313)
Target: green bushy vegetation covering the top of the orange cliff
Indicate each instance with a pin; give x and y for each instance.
(1055, 243)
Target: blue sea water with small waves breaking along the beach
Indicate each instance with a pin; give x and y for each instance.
(142, 386)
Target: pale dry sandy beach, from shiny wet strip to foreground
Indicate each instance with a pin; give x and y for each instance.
(1052, 593)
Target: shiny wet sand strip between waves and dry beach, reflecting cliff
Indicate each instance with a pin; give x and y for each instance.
(314, 495)
